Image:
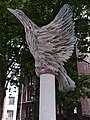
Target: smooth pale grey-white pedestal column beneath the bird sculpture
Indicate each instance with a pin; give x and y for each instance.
(47, 105)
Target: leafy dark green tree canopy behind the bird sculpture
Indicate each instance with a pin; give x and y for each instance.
(14, 54)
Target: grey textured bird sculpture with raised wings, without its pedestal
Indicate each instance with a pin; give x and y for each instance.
(51, 45)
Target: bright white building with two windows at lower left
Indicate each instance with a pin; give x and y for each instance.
(10, 103)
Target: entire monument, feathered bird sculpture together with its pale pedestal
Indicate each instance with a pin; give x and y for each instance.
(51, 46)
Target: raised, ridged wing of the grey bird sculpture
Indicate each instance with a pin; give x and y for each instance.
(57, 38)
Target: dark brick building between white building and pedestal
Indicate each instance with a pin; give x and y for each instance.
(28, 100)
